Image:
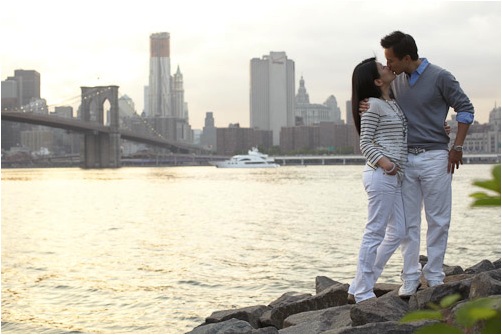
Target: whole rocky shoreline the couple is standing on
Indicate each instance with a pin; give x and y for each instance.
(329, 311)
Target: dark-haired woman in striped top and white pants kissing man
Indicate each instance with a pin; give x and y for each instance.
(382, 129)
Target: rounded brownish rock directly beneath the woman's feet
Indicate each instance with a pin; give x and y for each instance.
(389, 307)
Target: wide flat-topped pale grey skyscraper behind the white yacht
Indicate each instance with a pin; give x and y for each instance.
(272, 93)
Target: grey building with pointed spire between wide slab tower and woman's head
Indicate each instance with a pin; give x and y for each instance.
(309, 114)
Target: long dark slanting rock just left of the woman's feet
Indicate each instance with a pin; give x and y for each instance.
(333, 296)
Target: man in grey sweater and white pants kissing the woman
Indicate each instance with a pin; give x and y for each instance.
(425, 93)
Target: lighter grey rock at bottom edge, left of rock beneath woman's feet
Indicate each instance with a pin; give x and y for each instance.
(316, 322)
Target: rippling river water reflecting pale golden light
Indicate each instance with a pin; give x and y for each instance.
(156, 250)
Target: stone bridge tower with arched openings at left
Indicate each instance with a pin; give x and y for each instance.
(99, 149)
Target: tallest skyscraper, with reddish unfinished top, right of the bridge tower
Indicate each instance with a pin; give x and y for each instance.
(159, 88)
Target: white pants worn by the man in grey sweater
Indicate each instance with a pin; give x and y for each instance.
(426, 181)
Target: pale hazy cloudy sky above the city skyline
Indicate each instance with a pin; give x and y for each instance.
(98, 43)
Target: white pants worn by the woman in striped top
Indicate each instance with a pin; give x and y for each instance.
(383, 232)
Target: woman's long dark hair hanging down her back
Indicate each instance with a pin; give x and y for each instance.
(363, 86)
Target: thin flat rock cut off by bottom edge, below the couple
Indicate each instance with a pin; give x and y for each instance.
(387, 327)
